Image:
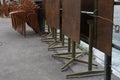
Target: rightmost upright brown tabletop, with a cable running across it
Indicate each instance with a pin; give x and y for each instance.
(104, 26)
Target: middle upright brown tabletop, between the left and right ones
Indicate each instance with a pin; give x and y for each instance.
(71, 19)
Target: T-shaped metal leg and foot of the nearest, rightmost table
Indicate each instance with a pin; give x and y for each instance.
(90, 71)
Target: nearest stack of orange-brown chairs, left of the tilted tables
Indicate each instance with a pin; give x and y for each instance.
(22, 14)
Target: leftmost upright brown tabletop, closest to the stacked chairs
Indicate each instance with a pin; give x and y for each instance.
(52, 8)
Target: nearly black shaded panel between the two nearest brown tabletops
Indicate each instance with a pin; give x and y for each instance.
(87, 5)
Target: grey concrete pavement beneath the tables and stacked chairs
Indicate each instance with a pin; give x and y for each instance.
(29, 59)
